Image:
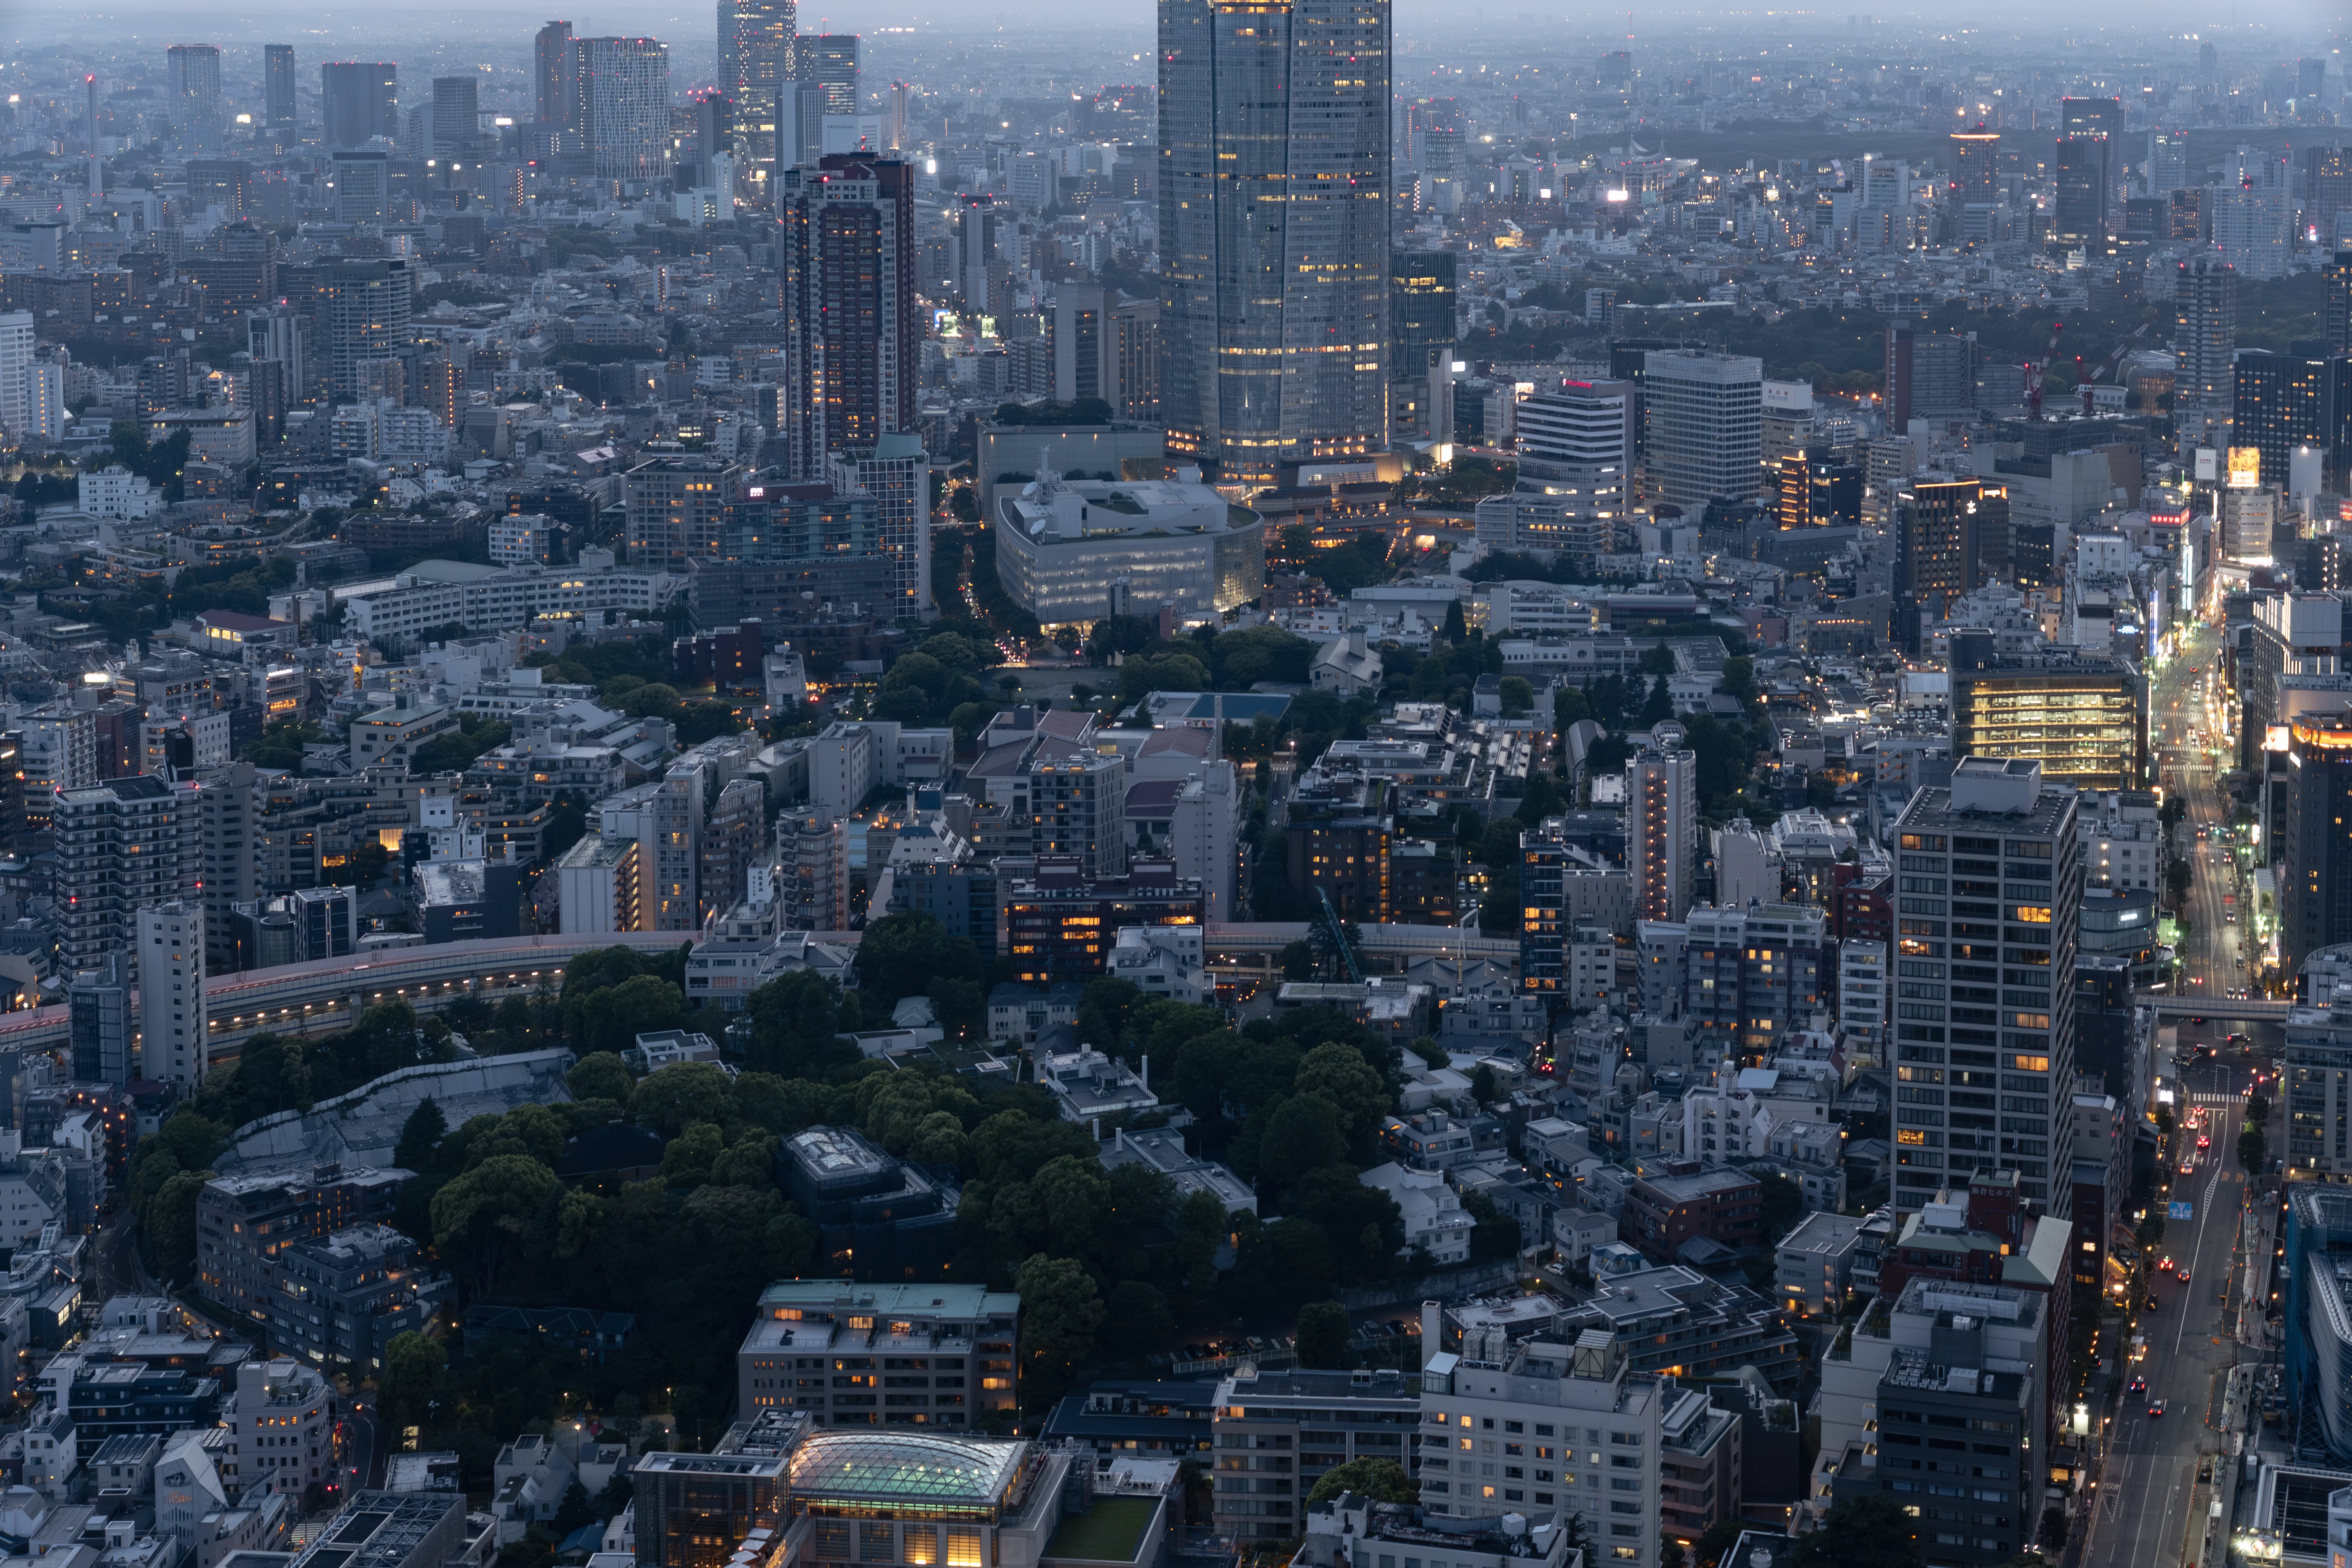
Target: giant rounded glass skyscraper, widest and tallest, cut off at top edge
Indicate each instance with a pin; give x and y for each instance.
(1259, 380)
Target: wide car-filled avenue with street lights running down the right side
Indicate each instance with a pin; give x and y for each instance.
(2149, 1489)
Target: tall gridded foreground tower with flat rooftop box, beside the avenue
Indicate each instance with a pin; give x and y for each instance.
(1986, 981)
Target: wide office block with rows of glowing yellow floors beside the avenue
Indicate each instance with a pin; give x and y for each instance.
(2069, 711)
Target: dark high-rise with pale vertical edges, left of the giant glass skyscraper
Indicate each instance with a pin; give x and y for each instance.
(848, 260)
